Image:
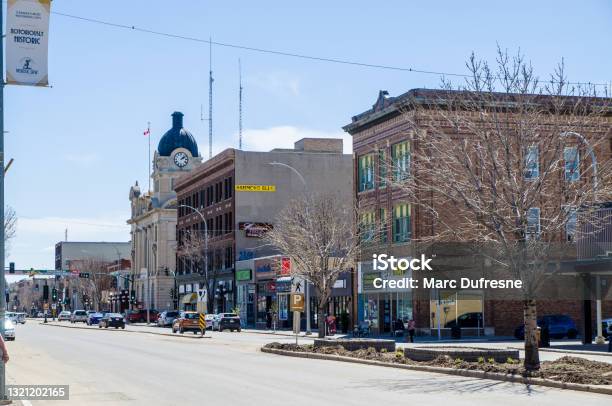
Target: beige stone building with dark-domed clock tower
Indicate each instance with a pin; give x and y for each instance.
(153, 218)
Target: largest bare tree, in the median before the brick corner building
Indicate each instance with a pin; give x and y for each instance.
(508, 161)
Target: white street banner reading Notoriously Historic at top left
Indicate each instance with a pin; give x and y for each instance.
(27, 40)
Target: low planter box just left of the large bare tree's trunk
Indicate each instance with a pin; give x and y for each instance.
(470, 354)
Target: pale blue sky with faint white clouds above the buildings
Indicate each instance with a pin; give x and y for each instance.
(79, 146)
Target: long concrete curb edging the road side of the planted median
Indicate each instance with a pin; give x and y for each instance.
(604, 390)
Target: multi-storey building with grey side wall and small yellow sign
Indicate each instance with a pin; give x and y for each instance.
(240, 194)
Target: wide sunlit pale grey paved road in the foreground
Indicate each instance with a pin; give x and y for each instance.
(116, 368)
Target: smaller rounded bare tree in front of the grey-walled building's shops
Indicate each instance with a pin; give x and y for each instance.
(319, 233)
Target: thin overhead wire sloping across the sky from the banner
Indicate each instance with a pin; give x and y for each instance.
(282, 53)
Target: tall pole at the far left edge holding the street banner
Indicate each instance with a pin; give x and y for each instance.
(2, 280)
